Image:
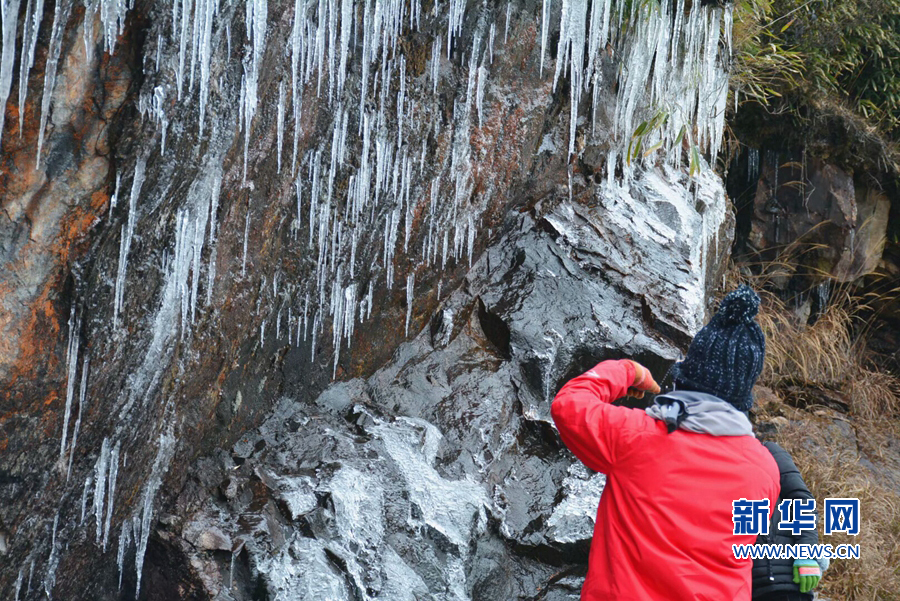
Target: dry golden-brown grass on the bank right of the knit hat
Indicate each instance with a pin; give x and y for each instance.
(839, 418)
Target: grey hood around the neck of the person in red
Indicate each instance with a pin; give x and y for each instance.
(699, 412)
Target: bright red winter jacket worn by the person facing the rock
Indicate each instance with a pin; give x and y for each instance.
(664, 524)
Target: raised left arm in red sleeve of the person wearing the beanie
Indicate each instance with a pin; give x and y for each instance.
(589, 425)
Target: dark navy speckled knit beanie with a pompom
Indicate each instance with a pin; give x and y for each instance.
(726, 355)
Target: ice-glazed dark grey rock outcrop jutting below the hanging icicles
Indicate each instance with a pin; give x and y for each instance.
(442, 472)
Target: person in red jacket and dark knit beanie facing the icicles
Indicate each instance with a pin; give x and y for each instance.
(664, 527)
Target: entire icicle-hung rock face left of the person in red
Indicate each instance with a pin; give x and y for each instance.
(288, 287)
